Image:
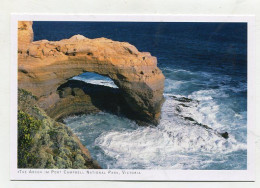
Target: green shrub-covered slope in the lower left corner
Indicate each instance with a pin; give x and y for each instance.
(45, 143)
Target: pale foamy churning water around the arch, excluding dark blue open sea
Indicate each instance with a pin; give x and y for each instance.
(176, 143)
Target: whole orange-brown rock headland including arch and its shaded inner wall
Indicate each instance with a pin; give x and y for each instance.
(46, 67)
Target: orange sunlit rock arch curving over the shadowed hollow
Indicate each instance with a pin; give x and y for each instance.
(43, 66)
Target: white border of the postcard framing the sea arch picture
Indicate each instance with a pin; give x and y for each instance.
(145, 175)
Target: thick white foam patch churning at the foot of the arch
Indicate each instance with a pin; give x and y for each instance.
(174, 144)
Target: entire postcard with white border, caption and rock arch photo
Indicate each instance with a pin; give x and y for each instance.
(131, 97)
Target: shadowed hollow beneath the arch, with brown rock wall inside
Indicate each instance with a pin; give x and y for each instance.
(79, 97)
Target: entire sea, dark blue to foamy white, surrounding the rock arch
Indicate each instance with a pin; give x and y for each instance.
(206, 62)
